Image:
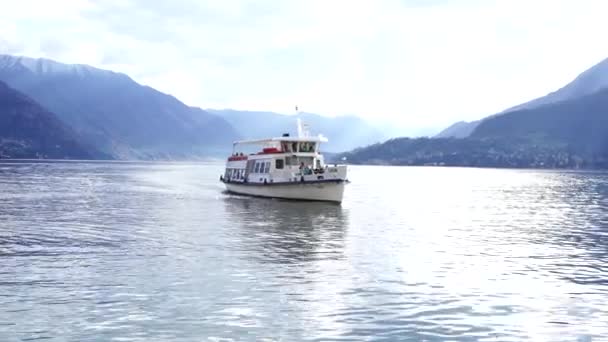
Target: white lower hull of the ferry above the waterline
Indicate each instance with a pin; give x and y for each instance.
(331, 191)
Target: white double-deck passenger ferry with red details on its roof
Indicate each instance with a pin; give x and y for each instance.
(285, 167)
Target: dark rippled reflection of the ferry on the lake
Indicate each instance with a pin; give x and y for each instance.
(288, 232)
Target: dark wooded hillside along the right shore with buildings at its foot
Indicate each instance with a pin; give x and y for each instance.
(566, 134)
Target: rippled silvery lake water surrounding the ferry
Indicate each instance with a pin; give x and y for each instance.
(157, 252)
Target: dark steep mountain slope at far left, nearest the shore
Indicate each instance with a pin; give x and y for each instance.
(29, 131)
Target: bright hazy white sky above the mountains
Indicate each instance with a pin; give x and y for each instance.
(419, 64)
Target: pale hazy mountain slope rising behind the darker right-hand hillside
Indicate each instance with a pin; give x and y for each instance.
(588, 82)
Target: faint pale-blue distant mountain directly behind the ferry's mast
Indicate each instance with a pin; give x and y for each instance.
(344, 132)
